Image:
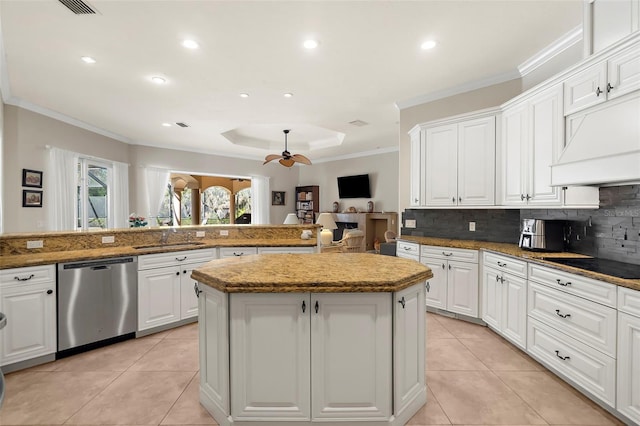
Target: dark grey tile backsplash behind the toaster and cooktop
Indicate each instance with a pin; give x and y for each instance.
(610, 232)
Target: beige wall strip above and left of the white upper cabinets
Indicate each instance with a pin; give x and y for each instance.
(487, 97)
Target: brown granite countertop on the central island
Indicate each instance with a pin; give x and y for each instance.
(320, 273)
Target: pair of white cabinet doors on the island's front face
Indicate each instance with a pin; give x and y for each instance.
(346, 336)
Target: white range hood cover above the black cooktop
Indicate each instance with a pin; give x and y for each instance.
(602, 145)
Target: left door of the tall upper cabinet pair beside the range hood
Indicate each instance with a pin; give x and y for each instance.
(513, 148)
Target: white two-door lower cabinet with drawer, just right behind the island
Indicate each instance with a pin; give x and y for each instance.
(454, 286)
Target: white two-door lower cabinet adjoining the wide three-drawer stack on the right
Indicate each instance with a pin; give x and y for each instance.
(504, 302)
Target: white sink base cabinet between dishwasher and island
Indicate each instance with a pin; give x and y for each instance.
(165, 287)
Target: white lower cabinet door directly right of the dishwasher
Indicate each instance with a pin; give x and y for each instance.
(158, 297)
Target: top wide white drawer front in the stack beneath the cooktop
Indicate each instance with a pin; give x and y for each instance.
(594, 290)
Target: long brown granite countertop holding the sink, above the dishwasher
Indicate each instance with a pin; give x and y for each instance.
(46, 258)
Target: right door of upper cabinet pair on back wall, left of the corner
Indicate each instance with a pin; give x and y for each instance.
(476, 162)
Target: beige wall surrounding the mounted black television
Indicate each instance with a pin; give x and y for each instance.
(383, 180)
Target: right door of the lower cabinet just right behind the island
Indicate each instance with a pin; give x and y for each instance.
(462, 288)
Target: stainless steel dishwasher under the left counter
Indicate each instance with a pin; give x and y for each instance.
(97, 303)
